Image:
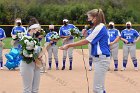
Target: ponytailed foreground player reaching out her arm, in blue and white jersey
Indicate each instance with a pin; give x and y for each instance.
(99, 40)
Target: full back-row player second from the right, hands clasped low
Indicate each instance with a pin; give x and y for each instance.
(114, 45)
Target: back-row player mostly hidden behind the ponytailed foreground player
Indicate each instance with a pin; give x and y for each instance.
(87, 33)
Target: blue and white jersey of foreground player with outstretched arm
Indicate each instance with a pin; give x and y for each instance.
(99, 39)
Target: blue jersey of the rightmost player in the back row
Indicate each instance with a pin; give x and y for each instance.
(129, 35)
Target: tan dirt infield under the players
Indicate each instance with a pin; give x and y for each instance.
(75, 81)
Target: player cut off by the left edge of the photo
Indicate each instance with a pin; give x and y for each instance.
(2, 37)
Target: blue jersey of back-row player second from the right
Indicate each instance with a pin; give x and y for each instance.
(113, 34)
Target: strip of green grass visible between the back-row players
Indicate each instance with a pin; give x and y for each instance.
(7, 43)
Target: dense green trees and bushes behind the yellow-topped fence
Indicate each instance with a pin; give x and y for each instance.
(54, 11)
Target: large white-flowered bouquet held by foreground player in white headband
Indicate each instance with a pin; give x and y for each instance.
(30, 49)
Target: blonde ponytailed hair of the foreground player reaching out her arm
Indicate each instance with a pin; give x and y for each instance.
(98, 13)
